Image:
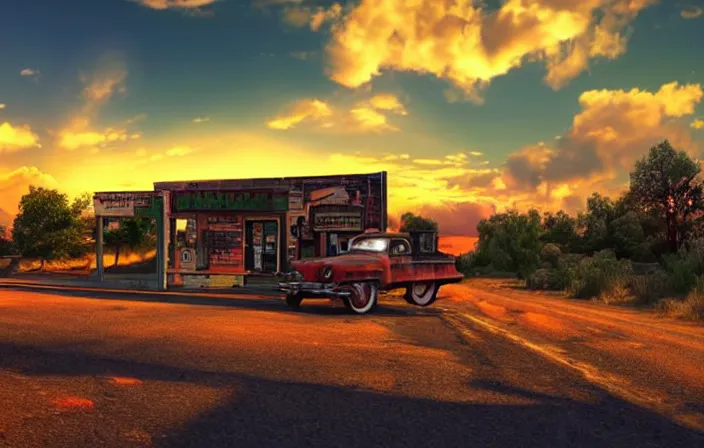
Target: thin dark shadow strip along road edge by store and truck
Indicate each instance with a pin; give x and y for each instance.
(263, 303)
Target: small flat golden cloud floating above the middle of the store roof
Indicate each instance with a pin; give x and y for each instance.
(364, 116)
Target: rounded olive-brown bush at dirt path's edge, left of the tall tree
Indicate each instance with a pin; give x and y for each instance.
(599, 276)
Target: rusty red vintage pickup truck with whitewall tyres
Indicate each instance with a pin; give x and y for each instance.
(375, 262)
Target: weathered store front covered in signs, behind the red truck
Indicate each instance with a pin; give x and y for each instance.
(221, 232)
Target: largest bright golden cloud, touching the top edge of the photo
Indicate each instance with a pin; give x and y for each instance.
(469, 46)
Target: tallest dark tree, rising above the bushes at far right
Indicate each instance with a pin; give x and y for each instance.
(666, 181)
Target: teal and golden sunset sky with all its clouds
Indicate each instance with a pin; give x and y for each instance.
(472, 106)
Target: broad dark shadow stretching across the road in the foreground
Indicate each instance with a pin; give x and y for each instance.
(267, 413)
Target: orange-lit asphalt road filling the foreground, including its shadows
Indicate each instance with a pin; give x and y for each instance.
(118, 370)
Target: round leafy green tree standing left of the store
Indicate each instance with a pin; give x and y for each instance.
(47, 226)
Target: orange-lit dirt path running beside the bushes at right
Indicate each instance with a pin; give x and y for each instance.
(655, 361)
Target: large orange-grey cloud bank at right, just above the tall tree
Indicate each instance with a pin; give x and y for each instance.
(613, 130)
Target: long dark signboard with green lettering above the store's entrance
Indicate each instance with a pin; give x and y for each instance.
(228, 201)
